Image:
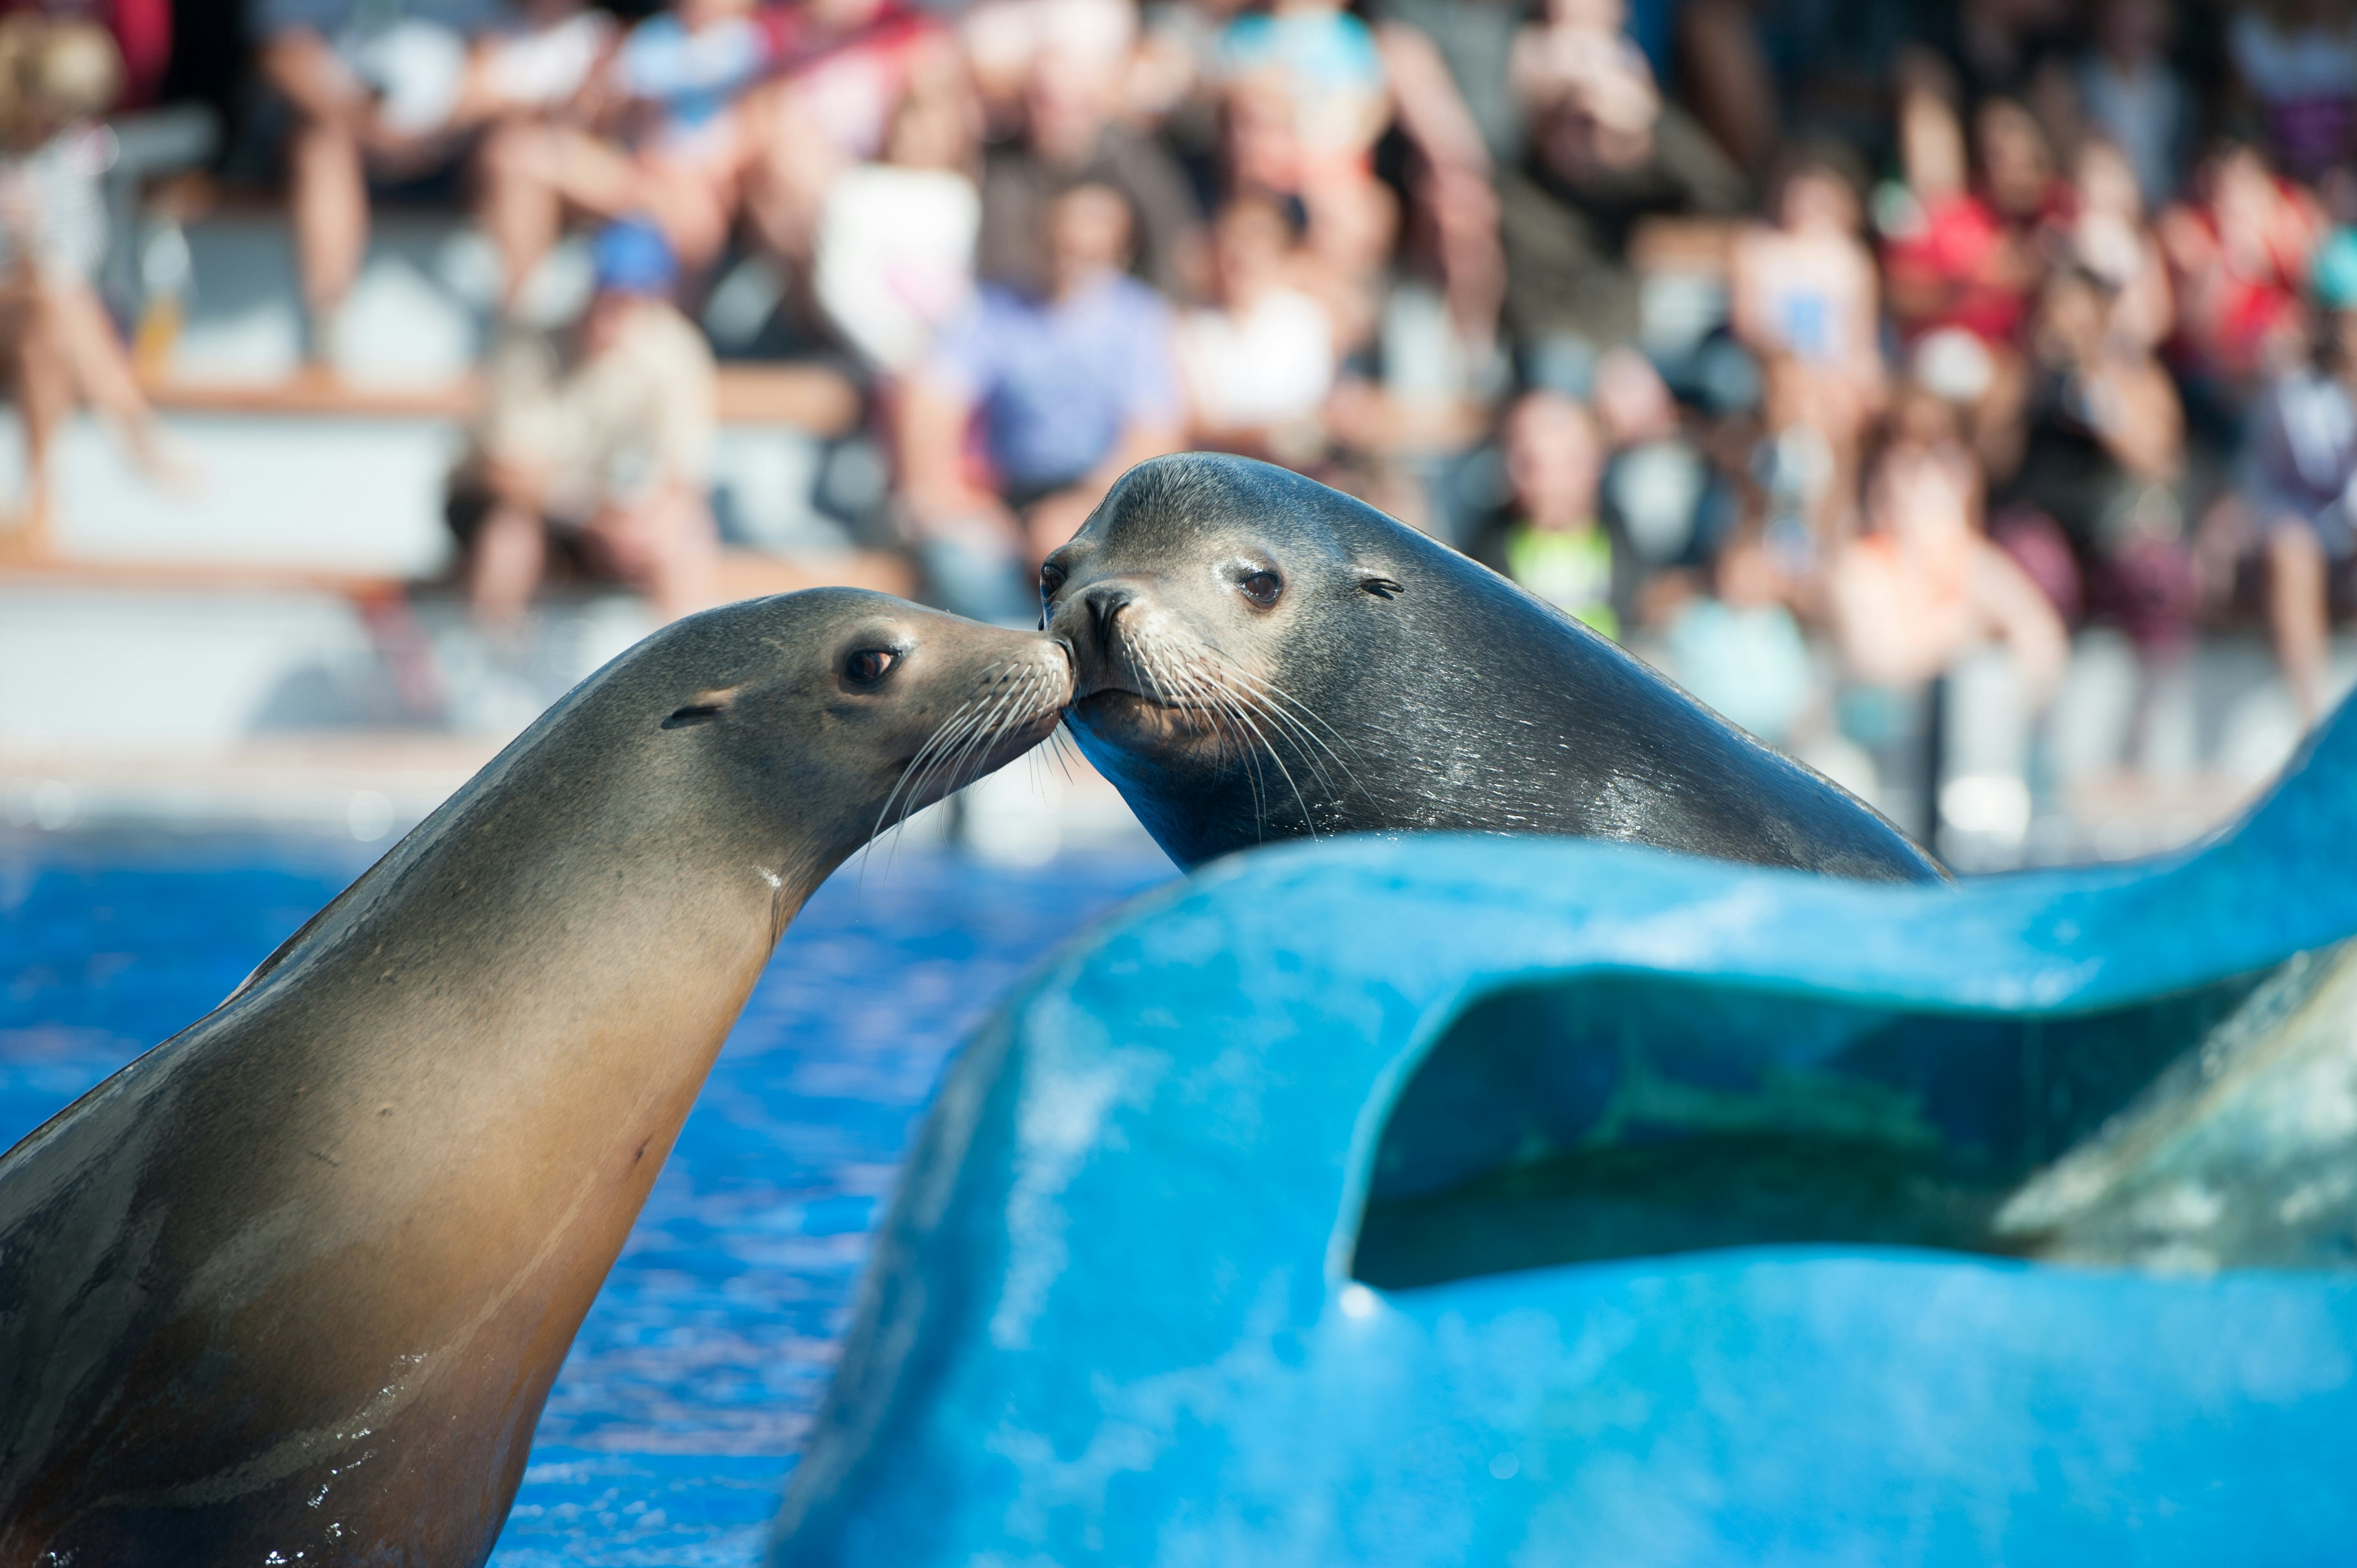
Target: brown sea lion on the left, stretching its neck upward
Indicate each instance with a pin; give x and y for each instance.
(293, 1286)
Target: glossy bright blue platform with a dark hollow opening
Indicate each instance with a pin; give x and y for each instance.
(1342, 1206)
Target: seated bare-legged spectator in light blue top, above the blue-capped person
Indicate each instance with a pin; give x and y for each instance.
(678, 84)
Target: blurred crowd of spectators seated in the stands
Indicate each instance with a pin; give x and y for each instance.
(1814, 348)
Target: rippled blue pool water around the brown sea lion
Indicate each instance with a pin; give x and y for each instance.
(701, 1364)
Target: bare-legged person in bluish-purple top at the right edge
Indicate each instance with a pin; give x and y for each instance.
(2302, 482)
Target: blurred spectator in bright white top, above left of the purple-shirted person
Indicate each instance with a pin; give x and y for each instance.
(897, 237)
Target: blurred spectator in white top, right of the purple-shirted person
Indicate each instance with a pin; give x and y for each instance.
(1260, 364)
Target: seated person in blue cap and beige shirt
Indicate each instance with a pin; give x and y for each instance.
(595, 447)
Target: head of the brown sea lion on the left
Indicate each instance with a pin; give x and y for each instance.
(843, 711)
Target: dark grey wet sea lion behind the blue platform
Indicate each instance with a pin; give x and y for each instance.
(1262, 657)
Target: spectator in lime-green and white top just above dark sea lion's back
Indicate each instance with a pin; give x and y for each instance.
(1552, 536)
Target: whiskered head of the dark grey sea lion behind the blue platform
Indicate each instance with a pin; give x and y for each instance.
(1220, 614)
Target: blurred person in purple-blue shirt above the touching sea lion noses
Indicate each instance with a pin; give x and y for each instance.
(1064, 393)
